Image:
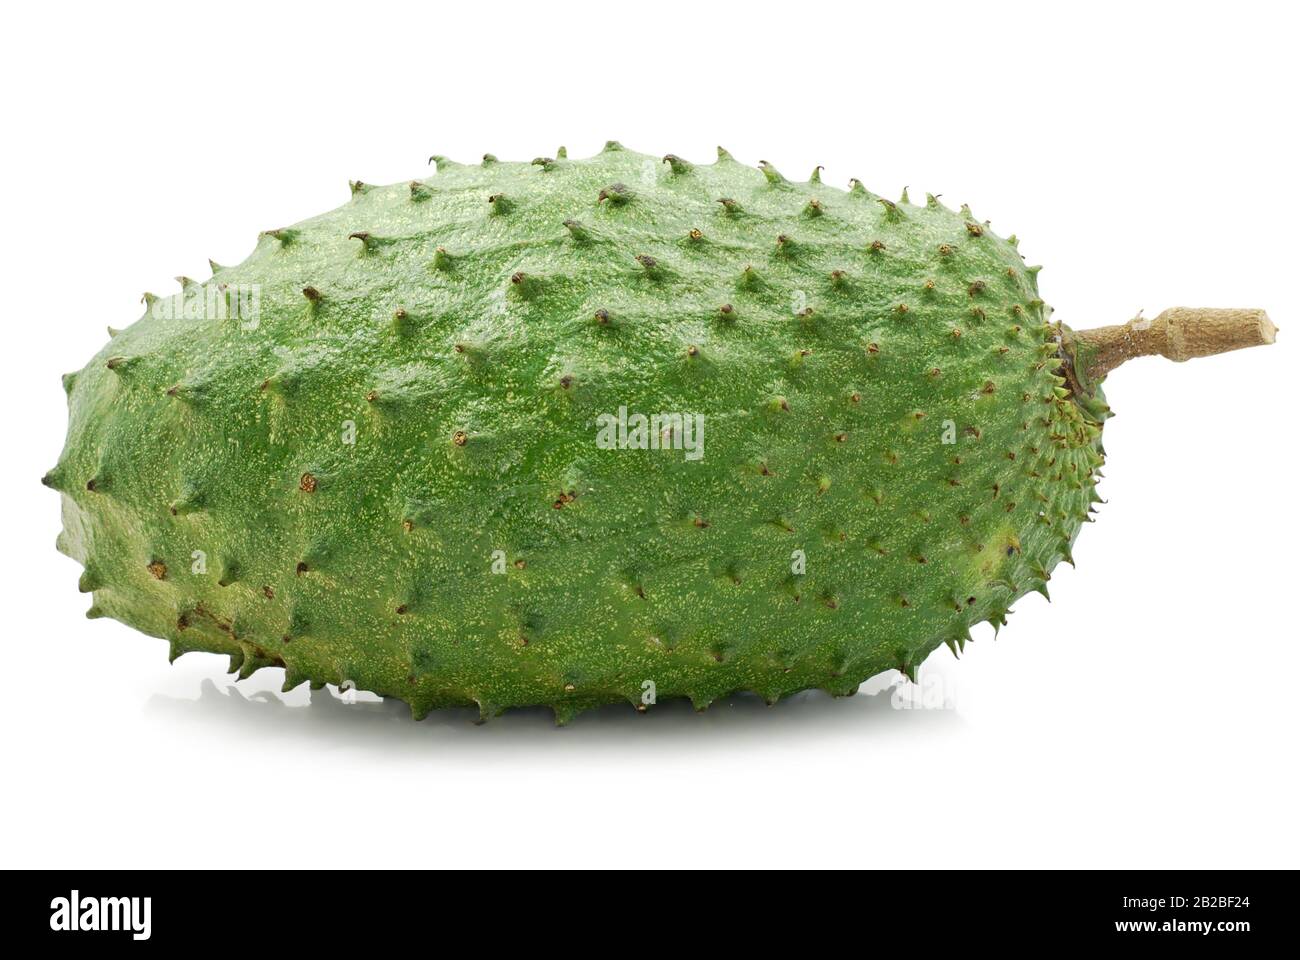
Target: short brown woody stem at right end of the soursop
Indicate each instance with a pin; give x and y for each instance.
(1178, 334)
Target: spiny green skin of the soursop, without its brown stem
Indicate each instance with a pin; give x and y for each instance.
(891, 455)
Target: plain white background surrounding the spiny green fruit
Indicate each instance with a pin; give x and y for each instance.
(1146, 154)
